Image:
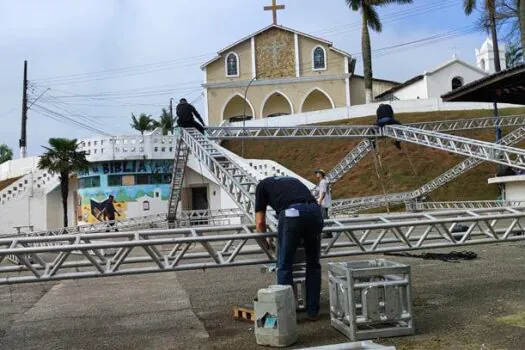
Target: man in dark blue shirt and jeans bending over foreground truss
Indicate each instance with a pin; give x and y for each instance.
(300, 217)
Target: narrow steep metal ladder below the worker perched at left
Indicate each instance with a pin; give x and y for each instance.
(177, 177)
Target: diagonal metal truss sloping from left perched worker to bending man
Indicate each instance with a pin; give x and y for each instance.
(238, 183)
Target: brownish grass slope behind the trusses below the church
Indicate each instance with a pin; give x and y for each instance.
(396, 173)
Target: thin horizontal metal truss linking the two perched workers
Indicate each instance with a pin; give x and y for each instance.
(292, 132)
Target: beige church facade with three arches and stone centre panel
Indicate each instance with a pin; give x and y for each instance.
(279, 71)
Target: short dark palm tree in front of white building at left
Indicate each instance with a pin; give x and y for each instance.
(63, 158)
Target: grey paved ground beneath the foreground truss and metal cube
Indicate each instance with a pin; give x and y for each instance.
(464, 305)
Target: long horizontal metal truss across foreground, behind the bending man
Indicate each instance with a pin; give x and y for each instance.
(139, 252)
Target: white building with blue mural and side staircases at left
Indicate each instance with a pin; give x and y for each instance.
(135, 169)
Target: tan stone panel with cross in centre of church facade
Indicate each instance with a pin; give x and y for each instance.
(275, 54)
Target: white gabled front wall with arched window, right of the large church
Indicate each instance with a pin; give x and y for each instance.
(440, 82)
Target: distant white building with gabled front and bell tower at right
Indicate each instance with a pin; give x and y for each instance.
(447, 76)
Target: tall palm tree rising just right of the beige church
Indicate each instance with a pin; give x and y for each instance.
(370, 19)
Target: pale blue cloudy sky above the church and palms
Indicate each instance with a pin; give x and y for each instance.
(104, 59)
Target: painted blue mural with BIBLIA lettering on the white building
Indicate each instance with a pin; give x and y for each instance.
(140, 188)
